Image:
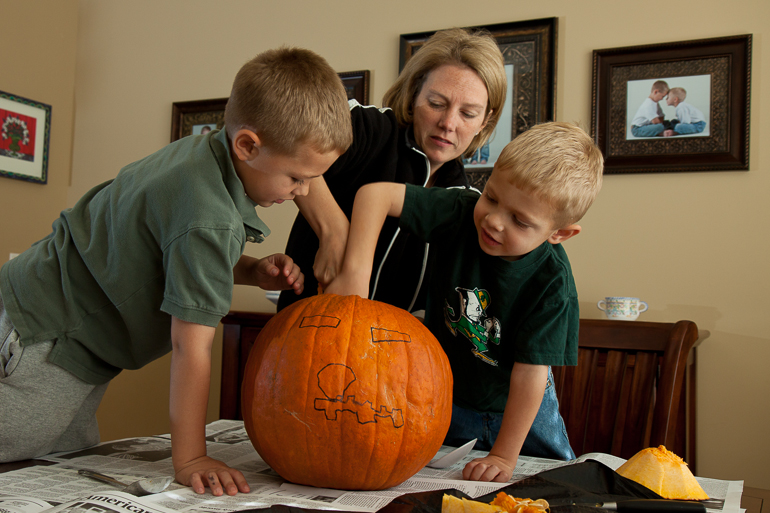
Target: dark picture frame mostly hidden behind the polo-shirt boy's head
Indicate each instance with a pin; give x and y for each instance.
(200, 116)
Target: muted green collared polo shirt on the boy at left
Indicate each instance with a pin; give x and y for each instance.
(159, 240)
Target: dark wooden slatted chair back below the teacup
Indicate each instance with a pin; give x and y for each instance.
(628, 390)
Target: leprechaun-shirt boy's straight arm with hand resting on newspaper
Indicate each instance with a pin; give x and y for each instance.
(524, 398)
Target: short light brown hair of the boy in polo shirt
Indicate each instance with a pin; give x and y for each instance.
(288, 97)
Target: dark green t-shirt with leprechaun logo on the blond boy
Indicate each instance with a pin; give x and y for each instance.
(488, 312)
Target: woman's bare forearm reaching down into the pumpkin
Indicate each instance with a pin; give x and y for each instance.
(330, 225)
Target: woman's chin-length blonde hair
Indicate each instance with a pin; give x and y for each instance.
(476, 50)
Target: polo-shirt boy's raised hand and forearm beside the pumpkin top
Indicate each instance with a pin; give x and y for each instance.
(274, 272)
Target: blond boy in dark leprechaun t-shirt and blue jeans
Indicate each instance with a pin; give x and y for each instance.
(502, 300)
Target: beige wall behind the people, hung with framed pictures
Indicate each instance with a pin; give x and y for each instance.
(692, 245)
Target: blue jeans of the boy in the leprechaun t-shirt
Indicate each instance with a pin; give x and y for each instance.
(547, 438)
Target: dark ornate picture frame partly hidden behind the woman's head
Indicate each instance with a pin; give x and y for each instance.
(529, 51)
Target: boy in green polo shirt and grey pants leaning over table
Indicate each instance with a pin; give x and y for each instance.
(145, 264)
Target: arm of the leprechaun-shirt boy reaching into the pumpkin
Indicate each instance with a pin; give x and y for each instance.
(374, 203)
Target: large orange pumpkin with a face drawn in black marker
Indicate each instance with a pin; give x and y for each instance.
(343, 392)
